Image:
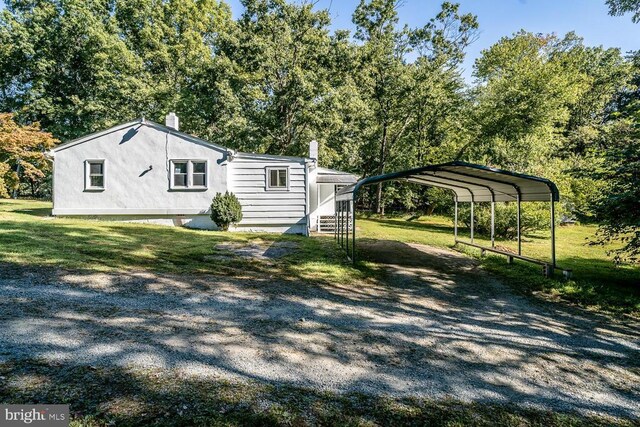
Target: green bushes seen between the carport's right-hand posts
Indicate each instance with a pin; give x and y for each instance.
(533, 217)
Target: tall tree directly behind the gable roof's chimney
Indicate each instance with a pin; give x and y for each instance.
(178, 43)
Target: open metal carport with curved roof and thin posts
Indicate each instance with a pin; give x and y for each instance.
(469, 183)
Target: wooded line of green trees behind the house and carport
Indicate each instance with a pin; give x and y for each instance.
(381, 98)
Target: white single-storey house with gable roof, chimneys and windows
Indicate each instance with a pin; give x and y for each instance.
(144, 171)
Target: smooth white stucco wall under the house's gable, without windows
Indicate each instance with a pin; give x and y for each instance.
(136, 175)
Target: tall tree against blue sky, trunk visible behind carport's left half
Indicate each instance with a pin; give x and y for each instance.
(400, 93)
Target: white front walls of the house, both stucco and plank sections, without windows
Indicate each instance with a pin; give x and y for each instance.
(137, 181)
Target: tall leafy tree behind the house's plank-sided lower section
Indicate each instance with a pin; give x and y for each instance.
(282, 50)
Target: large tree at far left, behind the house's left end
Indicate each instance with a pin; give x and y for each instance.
(65, 66)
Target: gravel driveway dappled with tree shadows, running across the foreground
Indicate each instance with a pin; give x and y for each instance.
(437, 326)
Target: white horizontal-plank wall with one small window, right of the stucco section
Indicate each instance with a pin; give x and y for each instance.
(271, 210)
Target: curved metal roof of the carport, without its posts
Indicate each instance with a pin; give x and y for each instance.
(469, 182)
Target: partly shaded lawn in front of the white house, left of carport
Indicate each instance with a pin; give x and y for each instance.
(30, 238)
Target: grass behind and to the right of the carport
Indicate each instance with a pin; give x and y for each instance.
(596, 283)
